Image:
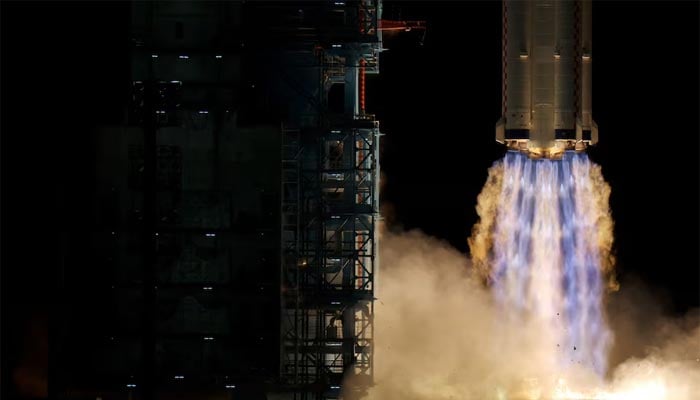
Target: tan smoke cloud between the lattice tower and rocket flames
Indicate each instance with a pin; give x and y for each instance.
(438, 335)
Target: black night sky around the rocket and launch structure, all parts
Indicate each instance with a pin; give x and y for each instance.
(65, 69)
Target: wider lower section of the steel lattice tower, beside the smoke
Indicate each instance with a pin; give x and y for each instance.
(329, 213)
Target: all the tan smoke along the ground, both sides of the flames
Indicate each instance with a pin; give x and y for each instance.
(439, 335)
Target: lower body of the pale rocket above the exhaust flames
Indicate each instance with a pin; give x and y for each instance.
(547, 60)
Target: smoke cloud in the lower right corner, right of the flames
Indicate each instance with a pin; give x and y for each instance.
(651, 350)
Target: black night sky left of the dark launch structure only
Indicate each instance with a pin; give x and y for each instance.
(64, 70)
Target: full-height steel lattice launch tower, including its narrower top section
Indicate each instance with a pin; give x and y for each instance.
(329, 212)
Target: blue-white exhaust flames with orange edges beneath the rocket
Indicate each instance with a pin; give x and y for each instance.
(544, 245)
